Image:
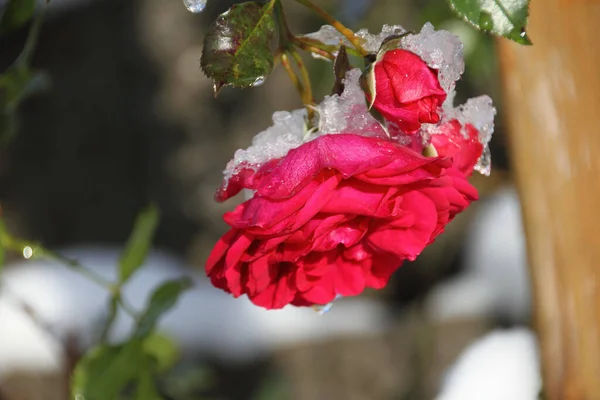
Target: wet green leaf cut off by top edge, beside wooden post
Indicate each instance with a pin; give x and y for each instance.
(506, 18)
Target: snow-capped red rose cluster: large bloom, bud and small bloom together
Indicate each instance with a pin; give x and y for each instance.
(337, 208)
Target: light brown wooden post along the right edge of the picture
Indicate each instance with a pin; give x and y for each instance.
(552, 105)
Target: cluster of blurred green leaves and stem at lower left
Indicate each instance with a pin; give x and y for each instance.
(108, 371)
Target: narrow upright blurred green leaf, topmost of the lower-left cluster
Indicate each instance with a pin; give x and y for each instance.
(139, 243)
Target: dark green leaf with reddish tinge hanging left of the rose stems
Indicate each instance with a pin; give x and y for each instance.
(237, 47)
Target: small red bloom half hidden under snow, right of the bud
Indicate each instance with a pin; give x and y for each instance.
(463, 147)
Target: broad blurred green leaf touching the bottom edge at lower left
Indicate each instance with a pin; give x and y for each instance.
(105, 371)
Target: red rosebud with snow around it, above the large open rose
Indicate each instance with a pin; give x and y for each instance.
(408, 92)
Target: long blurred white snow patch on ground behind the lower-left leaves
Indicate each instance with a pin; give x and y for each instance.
(205, 321)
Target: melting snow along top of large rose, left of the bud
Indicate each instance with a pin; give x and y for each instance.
(345, 113)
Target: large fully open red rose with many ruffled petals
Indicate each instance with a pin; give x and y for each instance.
(333, 216)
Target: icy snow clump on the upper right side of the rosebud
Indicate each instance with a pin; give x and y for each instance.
(441, 50)
